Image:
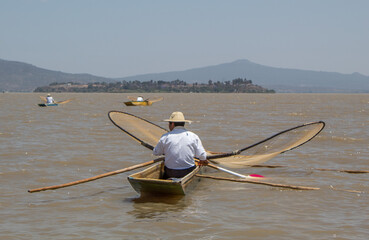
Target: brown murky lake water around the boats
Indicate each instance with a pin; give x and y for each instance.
(54, 145)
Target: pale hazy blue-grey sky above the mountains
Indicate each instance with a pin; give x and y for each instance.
(118, 38)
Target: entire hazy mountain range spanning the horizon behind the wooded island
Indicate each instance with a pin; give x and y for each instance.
(18, 76)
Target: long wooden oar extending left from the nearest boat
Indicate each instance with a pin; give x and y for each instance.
(97, 177)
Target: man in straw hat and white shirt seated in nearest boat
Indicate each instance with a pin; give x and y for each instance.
(179, 147)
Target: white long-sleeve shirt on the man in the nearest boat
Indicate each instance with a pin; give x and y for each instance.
(180, 147)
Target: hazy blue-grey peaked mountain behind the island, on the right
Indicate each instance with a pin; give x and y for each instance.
(279, 79)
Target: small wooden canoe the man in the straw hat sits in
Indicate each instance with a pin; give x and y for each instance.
(148, 181)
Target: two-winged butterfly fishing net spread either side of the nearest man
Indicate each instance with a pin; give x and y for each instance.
(144, 131)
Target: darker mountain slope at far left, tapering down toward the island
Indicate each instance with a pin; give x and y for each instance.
(23, 77)
